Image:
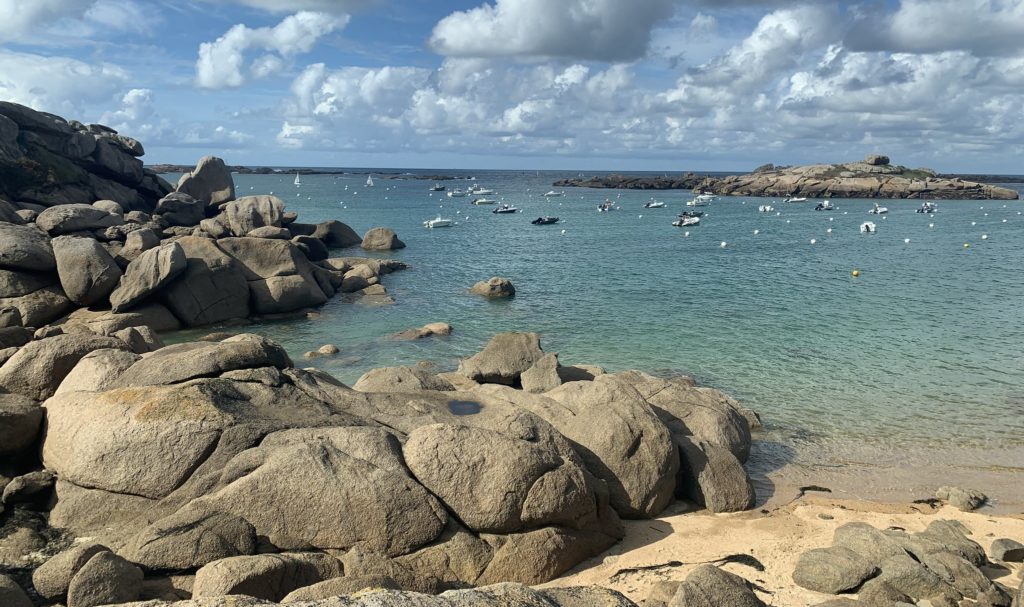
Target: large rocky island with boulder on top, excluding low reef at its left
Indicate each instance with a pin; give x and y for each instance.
(874, 178)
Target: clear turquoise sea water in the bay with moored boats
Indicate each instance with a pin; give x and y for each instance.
(919, 362)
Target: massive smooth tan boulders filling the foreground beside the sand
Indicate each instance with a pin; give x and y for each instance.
(198, 470)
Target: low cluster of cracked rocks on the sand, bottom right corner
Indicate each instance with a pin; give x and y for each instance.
(941, 566)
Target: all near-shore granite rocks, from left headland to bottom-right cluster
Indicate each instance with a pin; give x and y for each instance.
(217, 473)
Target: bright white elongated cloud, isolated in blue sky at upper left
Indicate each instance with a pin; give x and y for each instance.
(223, 63)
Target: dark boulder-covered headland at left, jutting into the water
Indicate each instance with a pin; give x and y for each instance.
(166, 259)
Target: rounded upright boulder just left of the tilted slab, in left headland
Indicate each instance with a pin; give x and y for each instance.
(88, 272)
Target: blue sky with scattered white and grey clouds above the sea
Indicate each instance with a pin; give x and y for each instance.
(661, 85)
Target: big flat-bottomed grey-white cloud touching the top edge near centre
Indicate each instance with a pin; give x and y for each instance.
(600, 30)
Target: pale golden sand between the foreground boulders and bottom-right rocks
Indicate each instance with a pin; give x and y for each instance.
(776, 536)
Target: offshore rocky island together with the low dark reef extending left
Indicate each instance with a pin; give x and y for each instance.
(873, 179)
